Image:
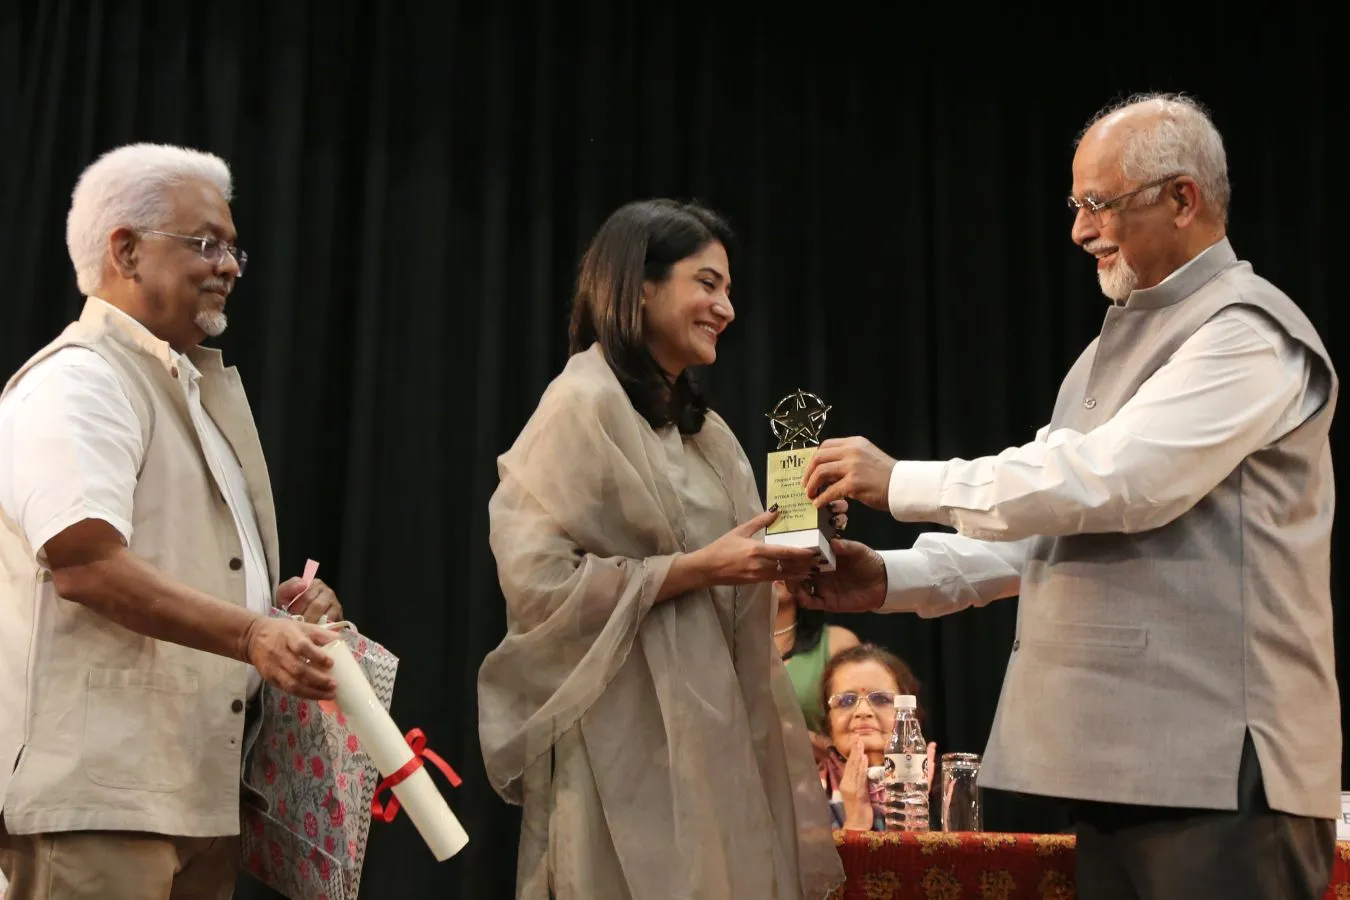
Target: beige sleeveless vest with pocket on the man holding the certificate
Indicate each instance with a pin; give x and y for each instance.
(102, 728)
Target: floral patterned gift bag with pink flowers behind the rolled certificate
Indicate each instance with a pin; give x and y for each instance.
(318, 785)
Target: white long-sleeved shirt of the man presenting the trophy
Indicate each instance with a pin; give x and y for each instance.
(1237, 385)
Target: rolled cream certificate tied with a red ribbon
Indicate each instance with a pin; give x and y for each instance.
(389, 752)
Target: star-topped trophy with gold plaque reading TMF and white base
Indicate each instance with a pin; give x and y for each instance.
(797, 423)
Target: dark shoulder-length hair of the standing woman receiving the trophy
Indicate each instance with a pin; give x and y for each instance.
(642, 242)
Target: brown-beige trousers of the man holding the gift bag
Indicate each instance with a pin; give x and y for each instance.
(118, 866)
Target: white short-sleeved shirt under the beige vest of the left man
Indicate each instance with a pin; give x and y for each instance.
(71, 449)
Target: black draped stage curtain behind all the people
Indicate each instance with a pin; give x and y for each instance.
(416, 183)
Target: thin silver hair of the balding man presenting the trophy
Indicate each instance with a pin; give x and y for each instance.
(1181, 141)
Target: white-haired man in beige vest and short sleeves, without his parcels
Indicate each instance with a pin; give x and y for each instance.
(138, 543)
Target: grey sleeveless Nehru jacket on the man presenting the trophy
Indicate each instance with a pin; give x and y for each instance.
(1141, 659)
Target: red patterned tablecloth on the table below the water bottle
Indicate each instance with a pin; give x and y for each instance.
(979, 867)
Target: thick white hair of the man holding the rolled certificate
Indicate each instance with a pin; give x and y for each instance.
(128, 188)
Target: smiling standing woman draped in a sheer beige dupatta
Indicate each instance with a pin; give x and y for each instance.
(638, 709)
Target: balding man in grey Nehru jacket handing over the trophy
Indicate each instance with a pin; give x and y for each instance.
(1172, 677)
